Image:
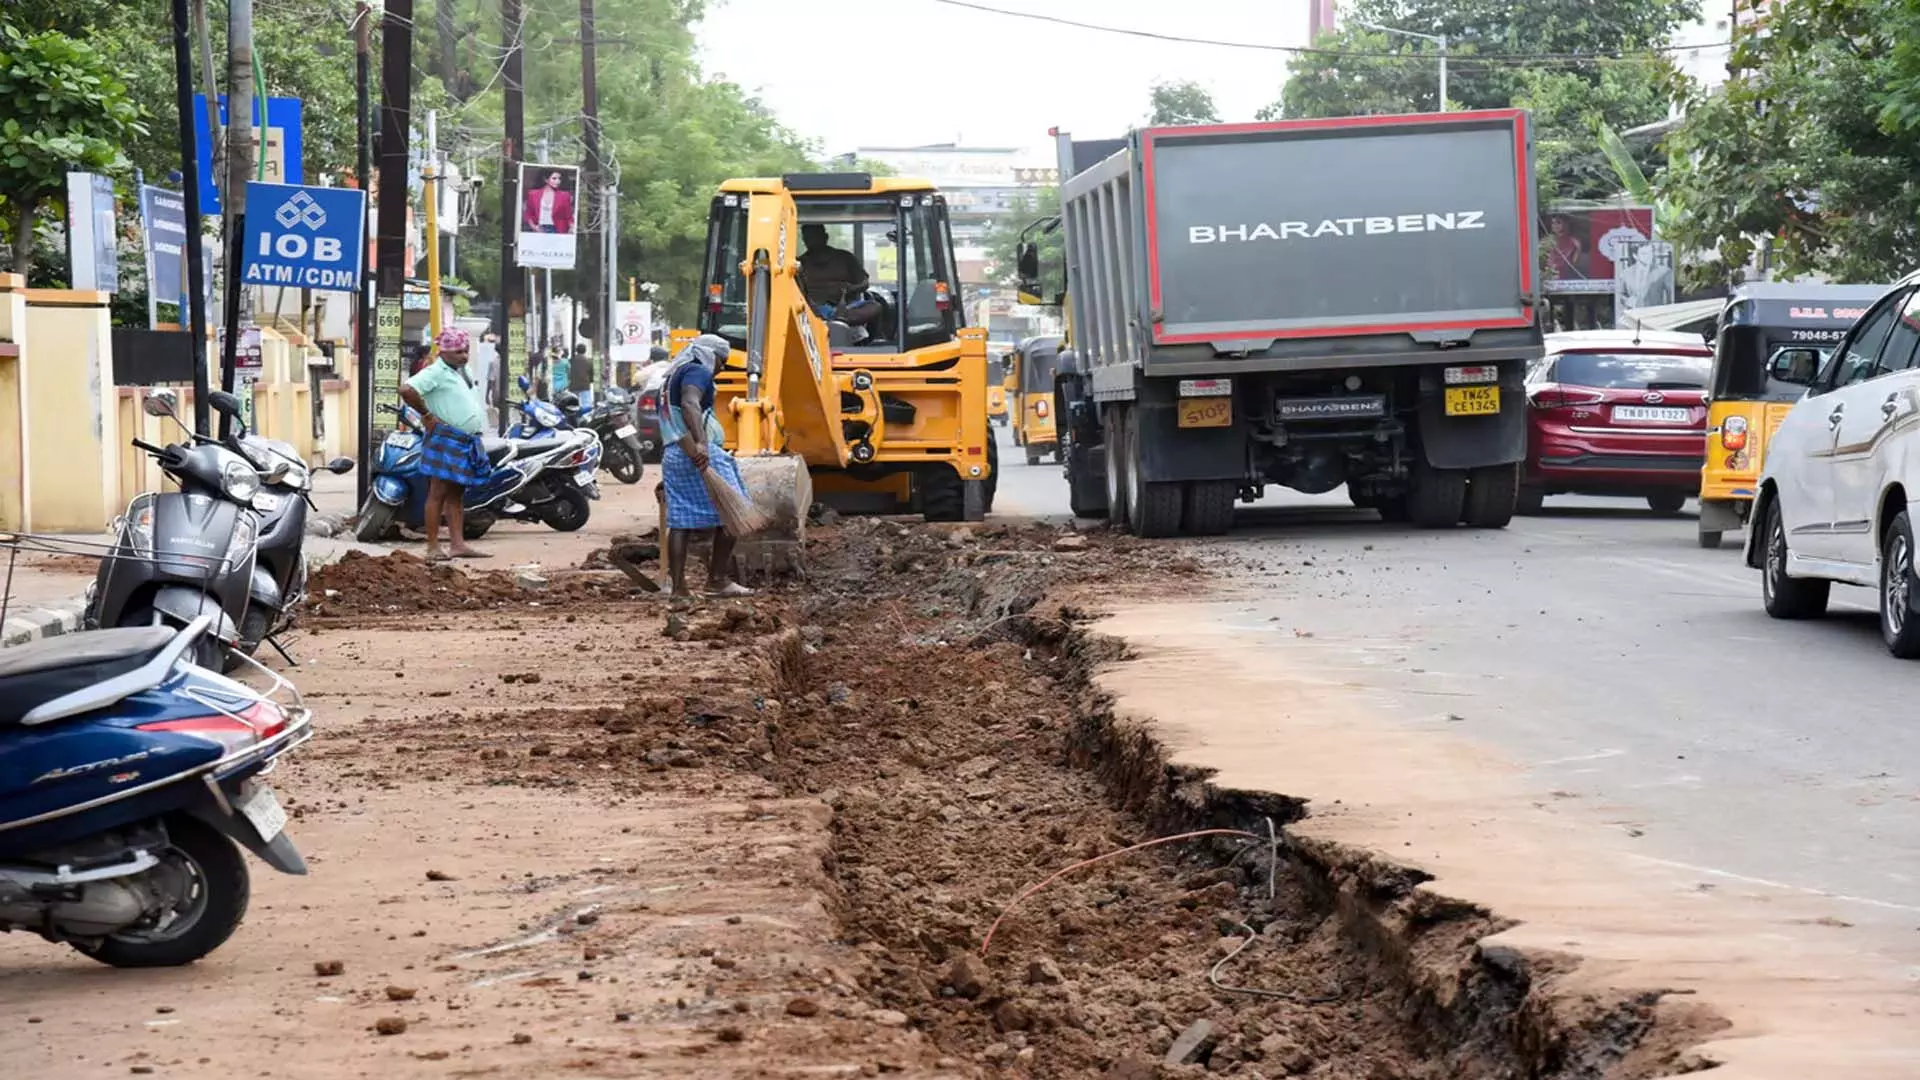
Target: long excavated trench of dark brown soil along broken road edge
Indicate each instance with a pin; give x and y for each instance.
(955, 725)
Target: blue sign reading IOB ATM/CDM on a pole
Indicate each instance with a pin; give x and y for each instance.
(302, 237)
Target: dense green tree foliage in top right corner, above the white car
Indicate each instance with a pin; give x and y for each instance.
(1813, 143)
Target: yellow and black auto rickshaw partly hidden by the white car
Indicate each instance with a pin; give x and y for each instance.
(1765, 328)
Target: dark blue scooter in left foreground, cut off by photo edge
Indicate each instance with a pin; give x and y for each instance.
(130, 781)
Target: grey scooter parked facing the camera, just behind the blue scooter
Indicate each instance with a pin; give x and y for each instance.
(189, 552)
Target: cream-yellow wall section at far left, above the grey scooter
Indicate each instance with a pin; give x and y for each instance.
(72, 420)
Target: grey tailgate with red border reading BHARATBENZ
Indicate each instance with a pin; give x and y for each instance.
(1335, 228)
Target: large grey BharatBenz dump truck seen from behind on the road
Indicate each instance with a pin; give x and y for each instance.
(1305, 305)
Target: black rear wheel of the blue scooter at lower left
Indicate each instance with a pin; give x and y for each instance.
(204, 887)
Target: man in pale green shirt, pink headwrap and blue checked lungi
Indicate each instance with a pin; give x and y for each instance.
(454, 454)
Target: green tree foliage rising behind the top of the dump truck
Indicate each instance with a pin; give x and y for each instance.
(1591, 66)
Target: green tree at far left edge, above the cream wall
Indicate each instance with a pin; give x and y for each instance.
(64, 110)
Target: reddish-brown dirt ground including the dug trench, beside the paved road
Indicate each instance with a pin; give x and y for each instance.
(613, 837)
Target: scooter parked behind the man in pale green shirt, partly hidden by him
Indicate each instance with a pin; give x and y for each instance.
(544, 479)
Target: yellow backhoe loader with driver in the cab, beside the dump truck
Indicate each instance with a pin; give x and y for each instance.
(842, 299)
